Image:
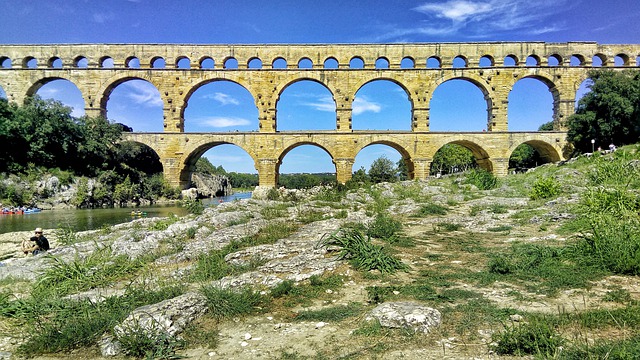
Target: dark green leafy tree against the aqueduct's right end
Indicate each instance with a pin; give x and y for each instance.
(609, 113)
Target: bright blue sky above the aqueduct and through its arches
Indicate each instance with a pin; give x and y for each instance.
(224, 106)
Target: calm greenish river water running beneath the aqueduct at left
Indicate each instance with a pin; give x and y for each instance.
(89, 219)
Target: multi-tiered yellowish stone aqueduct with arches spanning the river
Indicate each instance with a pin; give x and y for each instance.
(96, 69)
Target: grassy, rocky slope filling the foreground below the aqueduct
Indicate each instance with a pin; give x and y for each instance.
(543, 263)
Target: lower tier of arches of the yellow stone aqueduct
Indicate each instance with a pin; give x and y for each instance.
(179, 152)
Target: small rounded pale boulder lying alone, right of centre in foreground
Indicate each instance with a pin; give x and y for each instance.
(407, 315)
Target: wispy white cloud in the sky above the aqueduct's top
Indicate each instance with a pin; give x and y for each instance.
(484, 18)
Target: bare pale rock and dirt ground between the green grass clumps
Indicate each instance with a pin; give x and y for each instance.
(460, 241)
